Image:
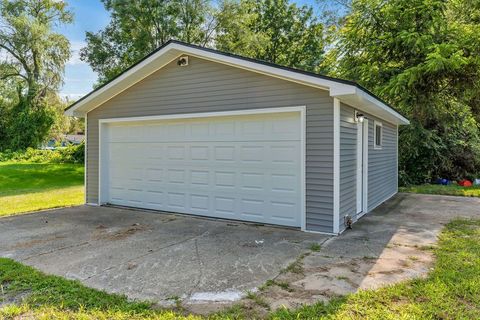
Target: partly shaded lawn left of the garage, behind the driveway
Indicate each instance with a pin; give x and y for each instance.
(28, 187)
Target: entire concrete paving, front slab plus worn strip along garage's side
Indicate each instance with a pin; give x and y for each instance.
(156, 256)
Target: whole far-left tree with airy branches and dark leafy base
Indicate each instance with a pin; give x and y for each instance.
(31, 69)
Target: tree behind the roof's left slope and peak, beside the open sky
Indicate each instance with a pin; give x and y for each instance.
(139, 27)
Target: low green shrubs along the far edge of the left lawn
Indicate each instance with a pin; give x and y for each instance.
(70, 154)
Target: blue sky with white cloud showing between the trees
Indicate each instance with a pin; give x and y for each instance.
(89, 15)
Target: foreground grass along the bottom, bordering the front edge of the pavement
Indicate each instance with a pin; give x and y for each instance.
(450, 291)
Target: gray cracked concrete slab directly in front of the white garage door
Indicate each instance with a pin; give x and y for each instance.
(153, 256)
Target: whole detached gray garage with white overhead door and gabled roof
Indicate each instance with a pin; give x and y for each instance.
(197, 131)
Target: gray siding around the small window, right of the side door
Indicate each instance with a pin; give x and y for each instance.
(382, 164)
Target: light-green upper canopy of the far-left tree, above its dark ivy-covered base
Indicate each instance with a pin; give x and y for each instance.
(33, 55)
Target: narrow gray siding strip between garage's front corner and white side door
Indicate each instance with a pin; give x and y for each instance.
(348, 164)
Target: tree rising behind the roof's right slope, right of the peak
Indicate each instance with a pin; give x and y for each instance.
(272, 30)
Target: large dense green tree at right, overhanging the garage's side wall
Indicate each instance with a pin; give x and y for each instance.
(421, 56)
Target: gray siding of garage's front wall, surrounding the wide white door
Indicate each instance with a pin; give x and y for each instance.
(206, 86)
